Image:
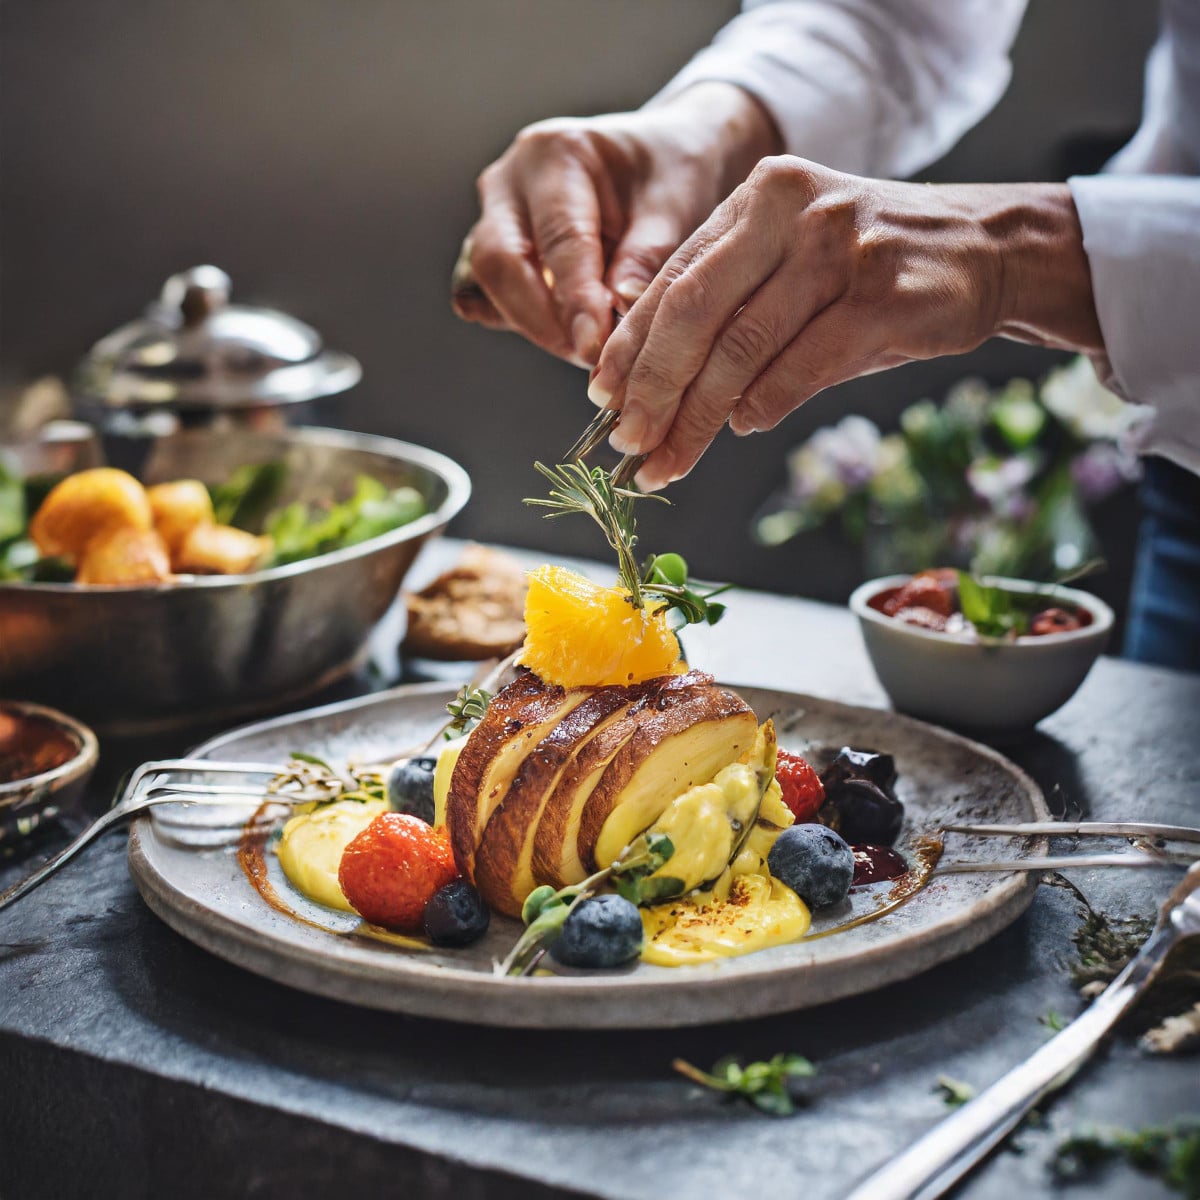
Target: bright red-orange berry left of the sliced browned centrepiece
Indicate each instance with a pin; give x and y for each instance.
(392, 869)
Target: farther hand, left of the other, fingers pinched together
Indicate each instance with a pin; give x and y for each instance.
(580, 214)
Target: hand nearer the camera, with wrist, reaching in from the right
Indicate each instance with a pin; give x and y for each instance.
(806, 278)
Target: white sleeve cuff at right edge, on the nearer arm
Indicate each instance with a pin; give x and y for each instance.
(1142, 235)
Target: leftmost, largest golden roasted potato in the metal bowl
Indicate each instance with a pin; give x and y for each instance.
(85, 506)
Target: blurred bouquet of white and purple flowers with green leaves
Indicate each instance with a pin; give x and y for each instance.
(994, 481)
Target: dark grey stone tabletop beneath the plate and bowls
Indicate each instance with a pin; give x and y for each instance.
(135, 1065)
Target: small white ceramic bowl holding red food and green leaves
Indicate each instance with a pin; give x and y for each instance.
(995, 689)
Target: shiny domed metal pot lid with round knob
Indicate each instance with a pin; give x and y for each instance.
(196, 351)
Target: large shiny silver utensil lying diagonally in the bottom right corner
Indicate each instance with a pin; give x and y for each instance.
(935, 1162)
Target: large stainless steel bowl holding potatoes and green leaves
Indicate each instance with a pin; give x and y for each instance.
(139, 659)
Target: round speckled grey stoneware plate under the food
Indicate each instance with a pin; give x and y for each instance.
(944, 779)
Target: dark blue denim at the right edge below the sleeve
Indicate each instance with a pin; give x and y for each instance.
(1165, 615)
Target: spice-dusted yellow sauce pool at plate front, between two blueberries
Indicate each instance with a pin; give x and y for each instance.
(758, 913)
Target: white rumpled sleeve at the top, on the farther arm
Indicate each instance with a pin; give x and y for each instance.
(871, 87)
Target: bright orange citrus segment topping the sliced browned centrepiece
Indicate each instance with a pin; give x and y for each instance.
(579, 634)
